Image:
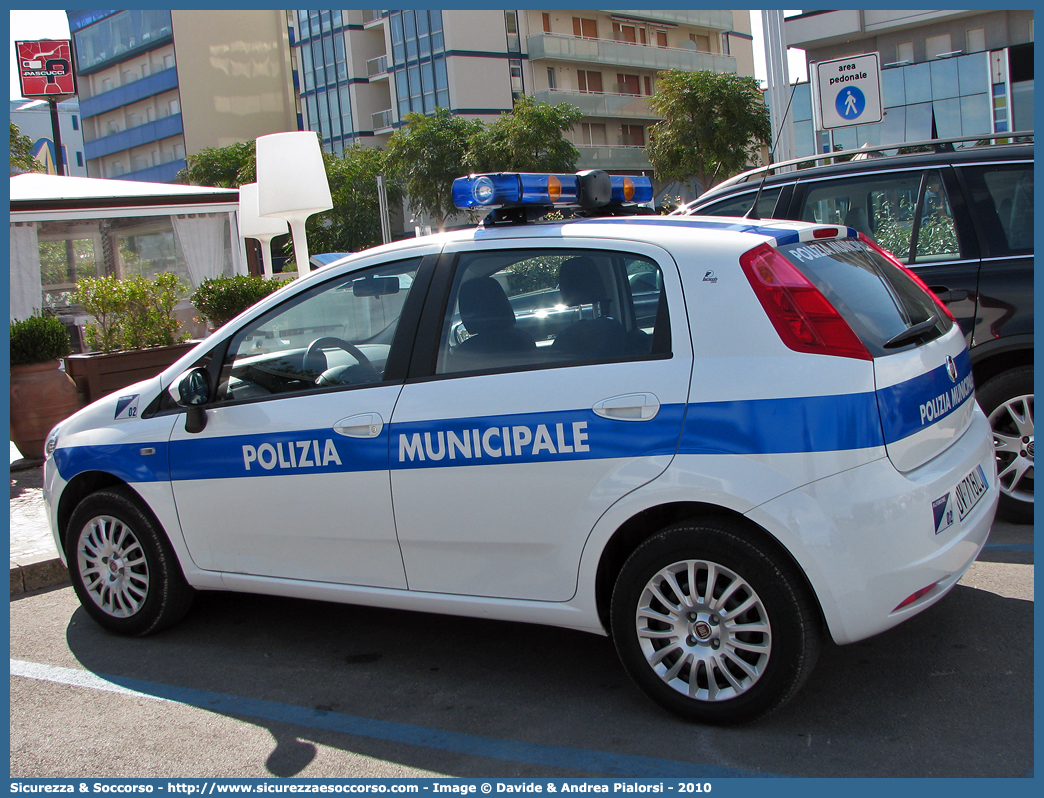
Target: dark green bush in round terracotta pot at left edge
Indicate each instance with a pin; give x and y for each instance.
(41, 394)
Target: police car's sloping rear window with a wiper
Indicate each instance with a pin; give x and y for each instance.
(877, 299)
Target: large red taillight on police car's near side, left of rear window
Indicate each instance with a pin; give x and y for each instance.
(805, 321)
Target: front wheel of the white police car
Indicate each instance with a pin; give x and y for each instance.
(123, 567)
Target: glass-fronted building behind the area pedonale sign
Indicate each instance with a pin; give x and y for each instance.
(944, 74)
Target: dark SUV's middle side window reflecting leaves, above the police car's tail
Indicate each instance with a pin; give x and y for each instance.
(909, 214)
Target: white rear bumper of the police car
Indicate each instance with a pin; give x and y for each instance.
(868, 538)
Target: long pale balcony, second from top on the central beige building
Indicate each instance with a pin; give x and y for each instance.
(626, 55)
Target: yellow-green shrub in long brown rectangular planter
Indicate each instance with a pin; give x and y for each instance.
(135, 334)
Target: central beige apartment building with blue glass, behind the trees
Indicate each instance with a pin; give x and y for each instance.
(361, 73)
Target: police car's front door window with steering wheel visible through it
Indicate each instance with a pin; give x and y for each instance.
(338, 335)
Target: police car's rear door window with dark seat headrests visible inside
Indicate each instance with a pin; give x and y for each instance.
(538, 309)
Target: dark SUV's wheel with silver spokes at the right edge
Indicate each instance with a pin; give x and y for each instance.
(1008, 402)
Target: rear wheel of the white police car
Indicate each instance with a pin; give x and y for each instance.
(689, 650)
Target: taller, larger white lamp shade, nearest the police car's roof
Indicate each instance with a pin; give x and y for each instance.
(292, 176)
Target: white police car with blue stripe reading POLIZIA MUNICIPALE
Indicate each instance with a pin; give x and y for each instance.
(714, 439)
